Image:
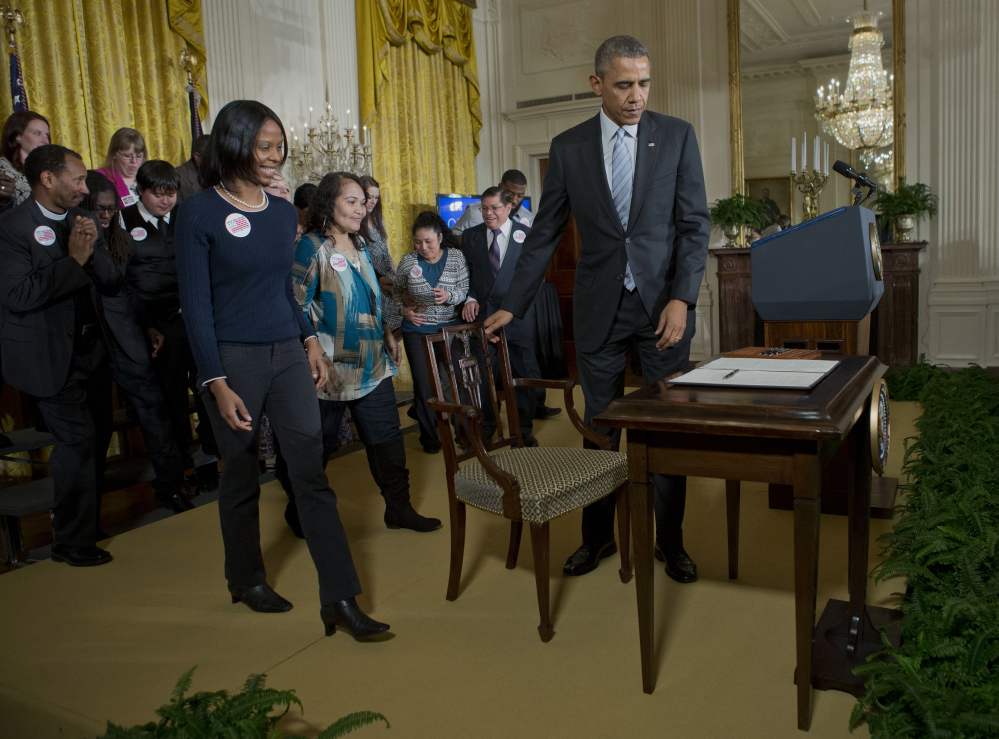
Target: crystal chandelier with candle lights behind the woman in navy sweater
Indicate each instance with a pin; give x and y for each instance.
(327, 150)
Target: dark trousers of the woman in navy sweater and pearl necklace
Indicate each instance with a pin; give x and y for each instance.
(276, 379)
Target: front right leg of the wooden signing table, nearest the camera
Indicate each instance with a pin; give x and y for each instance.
(807, 505)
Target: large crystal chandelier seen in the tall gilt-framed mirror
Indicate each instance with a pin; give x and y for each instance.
(862, 115)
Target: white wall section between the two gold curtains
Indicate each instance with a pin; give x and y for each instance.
(288, 54)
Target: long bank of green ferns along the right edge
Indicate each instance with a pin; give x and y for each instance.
(943, 680)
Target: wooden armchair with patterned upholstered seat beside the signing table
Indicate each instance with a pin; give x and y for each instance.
(533, 484)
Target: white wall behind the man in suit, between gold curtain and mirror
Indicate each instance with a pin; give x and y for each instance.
(536, 49)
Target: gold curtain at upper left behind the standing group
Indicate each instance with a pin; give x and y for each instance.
(93, 66)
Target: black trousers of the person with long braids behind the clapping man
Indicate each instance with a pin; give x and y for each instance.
(137, 382)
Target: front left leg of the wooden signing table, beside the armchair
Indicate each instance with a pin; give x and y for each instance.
(640, 494)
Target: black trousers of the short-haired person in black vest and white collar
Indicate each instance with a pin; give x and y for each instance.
(177, 373)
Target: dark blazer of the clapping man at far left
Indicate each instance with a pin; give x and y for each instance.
(37, 285)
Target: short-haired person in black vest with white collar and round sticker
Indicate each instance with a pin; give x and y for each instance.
(152, 276)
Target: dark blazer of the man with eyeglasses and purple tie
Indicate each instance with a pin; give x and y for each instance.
(490, 290)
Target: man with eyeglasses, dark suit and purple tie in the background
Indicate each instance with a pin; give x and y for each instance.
(491, 250)
